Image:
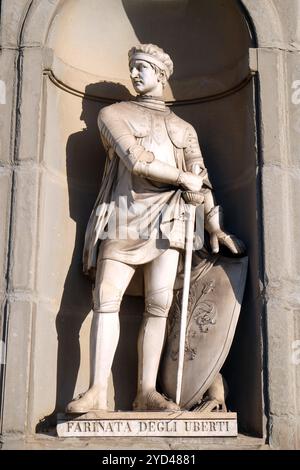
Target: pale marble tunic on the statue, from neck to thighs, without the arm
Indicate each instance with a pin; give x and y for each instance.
(135, 218)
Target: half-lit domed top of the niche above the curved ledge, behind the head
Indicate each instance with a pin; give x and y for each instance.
(208, 42)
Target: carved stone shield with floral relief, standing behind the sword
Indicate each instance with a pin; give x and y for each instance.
(214, 306)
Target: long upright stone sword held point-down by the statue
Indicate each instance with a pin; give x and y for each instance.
(192, 200)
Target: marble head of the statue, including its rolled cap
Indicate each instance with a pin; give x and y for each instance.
(150, 68)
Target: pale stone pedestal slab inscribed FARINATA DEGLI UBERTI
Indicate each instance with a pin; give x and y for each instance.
(147, 424)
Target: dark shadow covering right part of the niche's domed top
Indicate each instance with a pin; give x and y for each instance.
(207, 40)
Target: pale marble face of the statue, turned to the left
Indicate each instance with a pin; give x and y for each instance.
(144, 78)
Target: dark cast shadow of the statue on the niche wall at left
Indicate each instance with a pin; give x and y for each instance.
(85, 158)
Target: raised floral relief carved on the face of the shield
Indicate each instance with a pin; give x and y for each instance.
(202, 316)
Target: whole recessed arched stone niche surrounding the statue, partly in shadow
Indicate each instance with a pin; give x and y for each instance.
(87, 46)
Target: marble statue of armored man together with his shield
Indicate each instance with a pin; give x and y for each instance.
(139, 220)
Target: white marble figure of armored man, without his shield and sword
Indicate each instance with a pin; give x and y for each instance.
(152, 157)
